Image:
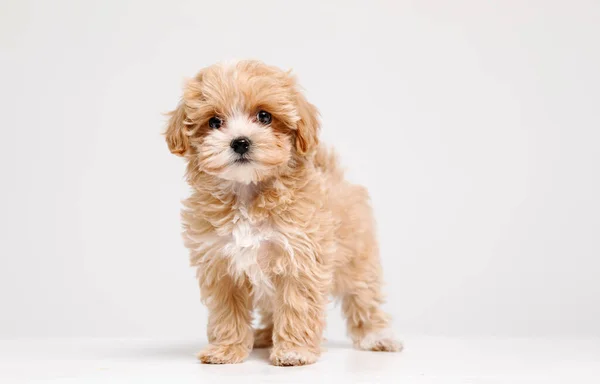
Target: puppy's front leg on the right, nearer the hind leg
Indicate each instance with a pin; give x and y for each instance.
(299, 315)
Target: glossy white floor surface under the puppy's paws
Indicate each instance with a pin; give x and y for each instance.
(424, 360)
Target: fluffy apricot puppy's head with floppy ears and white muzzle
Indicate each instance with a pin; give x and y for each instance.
(243, 122)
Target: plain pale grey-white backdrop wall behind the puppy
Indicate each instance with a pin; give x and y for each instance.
(484, 115)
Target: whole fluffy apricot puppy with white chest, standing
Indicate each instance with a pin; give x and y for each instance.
(271, 224)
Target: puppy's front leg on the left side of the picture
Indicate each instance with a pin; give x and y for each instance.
(230, 318)
